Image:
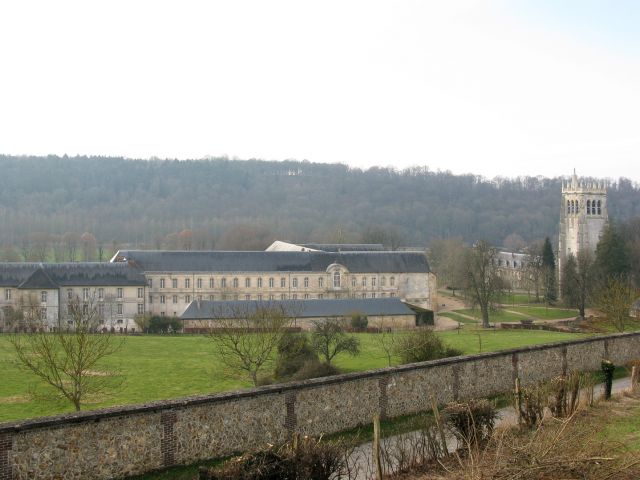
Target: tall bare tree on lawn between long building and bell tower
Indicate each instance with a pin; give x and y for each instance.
(483, 284)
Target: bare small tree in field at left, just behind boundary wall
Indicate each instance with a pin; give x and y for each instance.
(69, 359)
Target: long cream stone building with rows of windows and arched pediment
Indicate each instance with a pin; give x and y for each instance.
(176, 278)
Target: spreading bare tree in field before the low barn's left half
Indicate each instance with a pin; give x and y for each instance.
(246, 337)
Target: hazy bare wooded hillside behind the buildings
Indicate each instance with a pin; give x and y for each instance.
(51, 206)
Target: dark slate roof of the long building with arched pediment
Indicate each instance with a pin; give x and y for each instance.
(274, 261)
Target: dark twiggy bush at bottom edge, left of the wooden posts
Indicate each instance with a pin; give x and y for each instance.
(300, 459)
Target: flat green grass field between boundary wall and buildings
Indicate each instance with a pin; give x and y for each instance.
(161, 367)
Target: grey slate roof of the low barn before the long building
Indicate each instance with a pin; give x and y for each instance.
(201, 310)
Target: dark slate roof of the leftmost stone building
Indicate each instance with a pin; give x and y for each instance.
(54, 275)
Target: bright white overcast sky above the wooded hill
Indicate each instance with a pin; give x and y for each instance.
(495, 88)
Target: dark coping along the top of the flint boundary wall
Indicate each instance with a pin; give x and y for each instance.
(182, 402)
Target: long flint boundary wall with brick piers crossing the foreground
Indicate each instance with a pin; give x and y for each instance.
(116, 442)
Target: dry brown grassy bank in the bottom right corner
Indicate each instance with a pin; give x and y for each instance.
(559, 449)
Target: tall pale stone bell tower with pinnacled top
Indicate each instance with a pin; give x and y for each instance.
(583, 215)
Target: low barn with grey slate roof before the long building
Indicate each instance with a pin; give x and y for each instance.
(380, 312)
